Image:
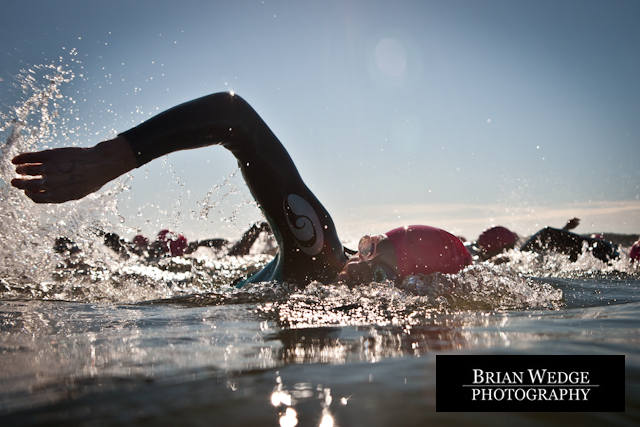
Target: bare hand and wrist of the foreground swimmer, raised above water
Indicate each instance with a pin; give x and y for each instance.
(63, 174)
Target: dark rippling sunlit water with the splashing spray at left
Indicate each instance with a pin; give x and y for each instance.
(96, 339)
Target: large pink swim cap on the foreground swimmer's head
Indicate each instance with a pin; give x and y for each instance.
(424, 249)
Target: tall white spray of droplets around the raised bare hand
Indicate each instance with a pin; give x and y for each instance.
(28, 230)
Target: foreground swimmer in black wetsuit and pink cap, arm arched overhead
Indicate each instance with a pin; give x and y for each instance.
(309, 247)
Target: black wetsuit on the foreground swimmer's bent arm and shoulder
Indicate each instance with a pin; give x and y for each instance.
(309, 247)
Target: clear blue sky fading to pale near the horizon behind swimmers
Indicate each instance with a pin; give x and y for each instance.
(457, 114)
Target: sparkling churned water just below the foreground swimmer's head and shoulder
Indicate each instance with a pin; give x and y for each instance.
(417, 299)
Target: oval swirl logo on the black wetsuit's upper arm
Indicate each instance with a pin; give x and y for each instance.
(304, 224)
